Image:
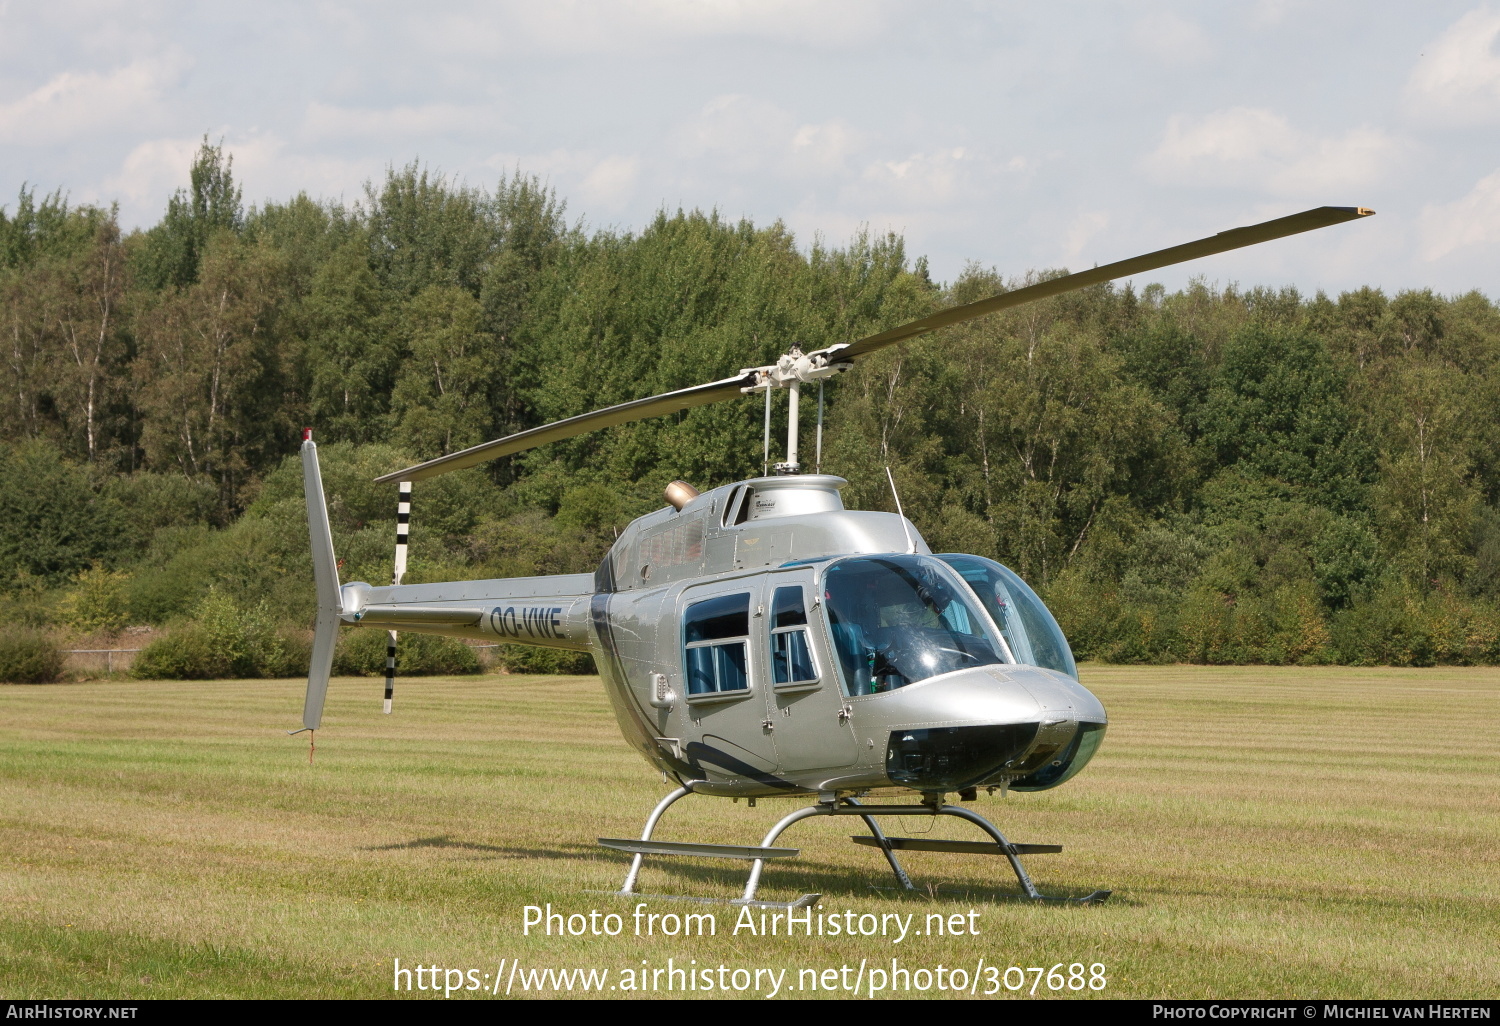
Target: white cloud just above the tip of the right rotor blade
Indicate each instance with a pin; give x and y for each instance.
(1258, 149)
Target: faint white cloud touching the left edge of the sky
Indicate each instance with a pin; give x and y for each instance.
(76, 104)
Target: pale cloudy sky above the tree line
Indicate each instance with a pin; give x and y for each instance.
(1015, 136)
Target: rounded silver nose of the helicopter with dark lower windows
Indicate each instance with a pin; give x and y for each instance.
(998, 722)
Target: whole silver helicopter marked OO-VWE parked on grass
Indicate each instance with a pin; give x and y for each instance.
(760, 640)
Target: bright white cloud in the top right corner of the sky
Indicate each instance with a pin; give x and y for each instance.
(1457, 80)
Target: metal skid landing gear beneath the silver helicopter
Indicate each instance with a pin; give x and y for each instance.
(758, 856)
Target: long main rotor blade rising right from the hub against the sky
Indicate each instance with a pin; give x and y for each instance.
(1223, 242)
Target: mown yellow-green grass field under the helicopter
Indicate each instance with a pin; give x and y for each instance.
(1306, 833)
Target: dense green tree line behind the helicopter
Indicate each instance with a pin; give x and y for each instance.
(1217, 475)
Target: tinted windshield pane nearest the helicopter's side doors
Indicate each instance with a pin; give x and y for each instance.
(902, 619)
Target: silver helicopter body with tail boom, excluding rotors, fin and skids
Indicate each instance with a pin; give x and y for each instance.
(764, 641)
